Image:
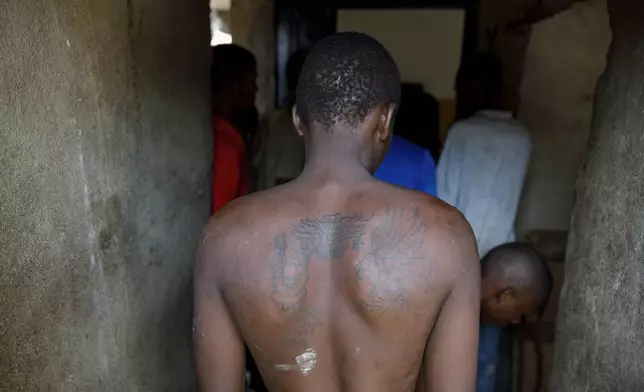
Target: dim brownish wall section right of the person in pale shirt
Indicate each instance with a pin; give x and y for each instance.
(565, 57)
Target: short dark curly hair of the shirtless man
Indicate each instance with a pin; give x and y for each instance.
(343, 78)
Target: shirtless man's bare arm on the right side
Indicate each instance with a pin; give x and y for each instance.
(452, 349)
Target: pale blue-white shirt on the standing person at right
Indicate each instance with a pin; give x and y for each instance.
(481, 173)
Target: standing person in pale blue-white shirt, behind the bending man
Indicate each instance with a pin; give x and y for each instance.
(481, 172)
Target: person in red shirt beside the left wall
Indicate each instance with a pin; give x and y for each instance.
(233, 77)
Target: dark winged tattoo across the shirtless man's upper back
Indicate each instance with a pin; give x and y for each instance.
(388, 267)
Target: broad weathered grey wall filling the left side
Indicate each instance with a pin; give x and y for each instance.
(104, 161)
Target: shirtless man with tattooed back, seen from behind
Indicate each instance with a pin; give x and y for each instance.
(337, 281)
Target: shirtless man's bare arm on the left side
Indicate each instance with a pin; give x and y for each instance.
(220, 354)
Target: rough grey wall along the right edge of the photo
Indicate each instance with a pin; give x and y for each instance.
(600, 337)
